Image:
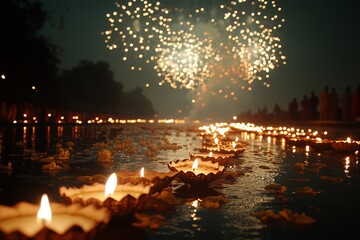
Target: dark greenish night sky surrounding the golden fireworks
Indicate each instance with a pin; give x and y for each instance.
(319, 38)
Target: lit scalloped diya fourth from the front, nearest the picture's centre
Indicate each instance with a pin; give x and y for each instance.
(198, 171)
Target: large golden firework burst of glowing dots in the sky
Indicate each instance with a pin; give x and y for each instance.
(211, 47)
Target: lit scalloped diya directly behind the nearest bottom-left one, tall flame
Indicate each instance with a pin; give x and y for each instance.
(120, 199)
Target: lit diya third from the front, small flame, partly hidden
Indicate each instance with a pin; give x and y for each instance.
(157, 181)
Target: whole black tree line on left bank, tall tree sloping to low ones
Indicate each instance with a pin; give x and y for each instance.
(31, 80)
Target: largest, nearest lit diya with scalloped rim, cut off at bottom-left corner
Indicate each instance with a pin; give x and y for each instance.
(51, 221)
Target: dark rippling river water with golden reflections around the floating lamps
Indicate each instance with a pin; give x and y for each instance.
(266, 160)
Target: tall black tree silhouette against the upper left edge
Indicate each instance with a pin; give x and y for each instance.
(27, 59)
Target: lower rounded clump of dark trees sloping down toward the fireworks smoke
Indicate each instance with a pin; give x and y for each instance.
(90, 87)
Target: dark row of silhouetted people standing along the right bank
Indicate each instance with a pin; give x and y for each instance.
(328, 105)
